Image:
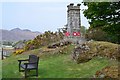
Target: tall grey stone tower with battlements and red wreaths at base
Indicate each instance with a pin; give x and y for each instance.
(73, 22)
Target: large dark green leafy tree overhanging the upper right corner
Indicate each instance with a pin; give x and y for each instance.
(104, 15)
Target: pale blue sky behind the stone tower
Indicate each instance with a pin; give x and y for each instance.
(37, 15)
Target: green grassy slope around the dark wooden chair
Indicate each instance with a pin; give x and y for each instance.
(55, 66)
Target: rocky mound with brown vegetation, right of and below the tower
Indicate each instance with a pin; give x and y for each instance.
(85, 52)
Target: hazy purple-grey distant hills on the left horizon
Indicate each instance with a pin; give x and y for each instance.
(18, 34)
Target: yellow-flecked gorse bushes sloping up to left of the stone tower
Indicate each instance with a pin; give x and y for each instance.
(43, 40)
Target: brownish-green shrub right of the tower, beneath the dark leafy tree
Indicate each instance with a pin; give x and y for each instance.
(99, 35)
